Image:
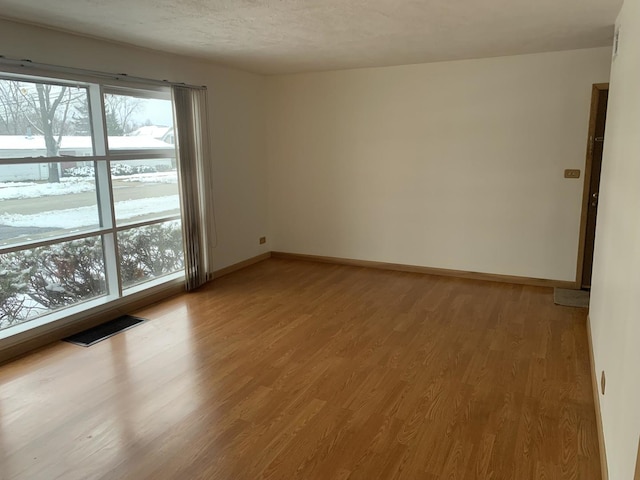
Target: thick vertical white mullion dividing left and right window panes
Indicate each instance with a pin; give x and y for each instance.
(104, 190)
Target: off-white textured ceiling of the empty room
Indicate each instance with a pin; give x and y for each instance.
(286, 36)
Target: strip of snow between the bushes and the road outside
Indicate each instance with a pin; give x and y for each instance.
(88, 216)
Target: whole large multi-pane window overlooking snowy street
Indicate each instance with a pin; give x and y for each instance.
(89, 197)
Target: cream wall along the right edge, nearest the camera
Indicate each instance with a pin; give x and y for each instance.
(615, 295)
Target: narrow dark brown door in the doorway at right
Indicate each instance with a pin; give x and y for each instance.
(591, 192)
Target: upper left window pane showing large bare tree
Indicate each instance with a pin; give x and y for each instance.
(43, 120)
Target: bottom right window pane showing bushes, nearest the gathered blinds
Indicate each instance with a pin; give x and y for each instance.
(150, 252)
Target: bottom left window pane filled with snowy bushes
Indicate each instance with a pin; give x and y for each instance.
(40, 280)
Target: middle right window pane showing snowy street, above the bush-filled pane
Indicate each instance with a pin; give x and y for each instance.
(145, 190)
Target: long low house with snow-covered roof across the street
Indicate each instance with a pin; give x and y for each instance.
(72, 148)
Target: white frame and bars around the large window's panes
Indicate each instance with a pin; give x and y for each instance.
(102, 159)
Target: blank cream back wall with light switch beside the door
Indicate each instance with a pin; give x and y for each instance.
(455, 165)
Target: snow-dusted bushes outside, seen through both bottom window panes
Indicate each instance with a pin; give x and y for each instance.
(38, 281)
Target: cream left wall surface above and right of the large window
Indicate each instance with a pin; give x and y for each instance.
(236, 121)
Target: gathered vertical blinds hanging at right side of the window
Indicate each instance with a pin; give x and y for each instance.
(194, 167)
